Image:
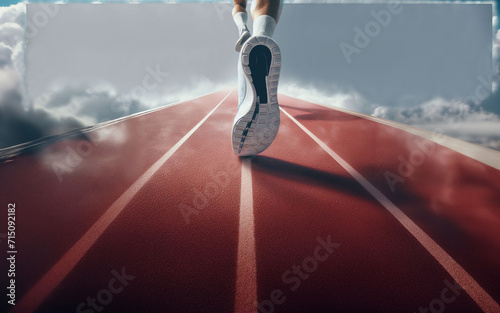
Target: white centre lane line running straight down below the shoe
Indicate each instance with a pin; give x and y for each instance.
(246, 270)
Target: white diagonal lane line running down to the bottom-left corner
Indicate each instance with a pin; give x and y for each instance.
(42, 289)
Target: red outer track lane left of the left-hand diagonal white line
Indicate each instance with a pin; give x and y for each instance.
(52, 215)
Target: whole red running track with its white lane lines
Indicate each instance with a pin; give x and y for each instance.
(154, 213)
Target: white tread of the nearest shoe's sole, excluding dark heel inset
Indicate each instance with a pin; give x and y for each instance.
(254, 131)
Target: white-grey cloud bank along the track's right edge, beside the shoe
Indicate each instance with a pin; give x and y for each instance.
(465, 120)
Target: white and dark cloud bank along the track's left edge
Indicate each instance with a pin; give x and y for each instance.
(69, 105)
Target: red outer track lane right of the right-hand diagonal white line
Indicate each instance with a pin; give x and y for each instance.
(453, 198)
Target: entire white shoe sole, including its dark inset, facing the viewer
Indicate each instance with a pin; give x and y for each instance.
(256, 129)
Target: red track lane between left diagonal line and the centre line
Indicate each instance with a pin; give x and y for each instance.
(178, 267)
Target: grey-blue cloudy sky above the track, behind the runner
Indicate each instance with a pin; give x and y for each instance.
(428, 65)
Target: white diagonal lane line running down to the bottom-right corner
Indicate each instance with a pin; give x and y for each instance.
(459, 274)
